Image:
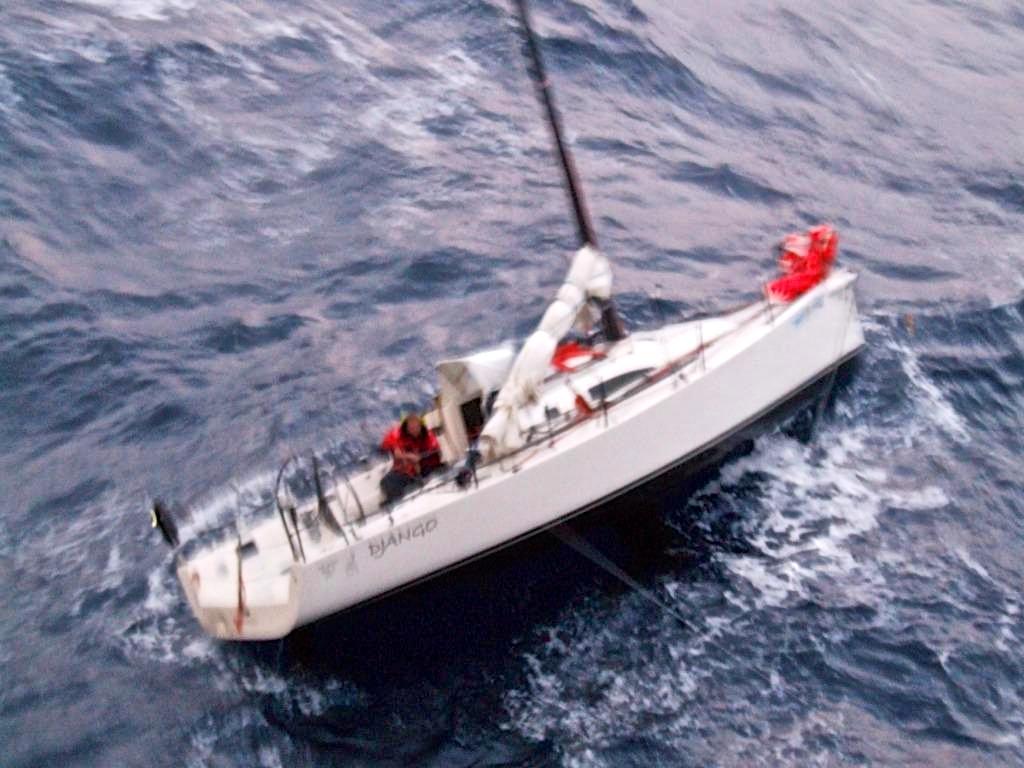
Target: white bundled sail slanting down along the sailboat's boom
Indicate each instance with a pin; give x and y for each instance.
(589, 278)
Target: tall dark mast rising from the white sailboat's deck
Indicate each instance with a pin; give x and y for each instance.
(612, 323)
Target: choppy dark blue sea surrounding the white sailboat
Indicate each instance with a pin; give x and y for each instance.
(234, 230)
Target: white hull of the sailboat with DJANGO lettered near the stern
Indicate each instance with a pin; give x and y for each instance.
(754, 360)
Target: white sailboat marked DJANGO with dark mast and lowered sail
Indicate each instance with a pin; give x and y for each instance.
(533, 438)
